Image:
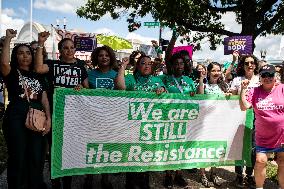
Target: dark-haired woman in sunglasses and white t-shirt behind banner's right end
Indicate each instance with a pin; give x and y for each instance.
(247, 69)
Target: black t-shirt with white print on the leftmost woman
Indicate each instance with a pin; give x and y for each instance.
(34, 83)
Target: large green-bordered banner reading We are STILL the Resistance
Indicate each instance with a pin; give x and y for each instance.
(107, 131)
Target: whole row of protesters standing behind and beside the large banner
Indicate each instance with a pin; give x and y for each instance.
(28, 66)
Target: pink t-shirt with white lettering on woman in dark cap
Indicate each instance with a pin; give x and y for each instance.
(269, 115)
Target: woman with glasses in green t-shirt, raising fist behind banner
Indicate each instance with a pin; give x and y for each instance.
(141, 80)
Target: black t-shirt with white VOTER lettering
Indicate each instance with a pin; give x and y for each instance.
(66, 75)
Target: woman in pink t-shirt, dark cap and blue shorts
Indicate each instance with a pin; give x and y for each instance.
(268, 105)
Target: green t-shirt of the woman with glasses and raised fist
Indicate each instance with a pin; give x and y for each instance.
(142, 83)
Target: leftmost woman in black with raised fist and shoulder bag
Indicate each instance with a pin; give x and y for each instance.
(26, 148)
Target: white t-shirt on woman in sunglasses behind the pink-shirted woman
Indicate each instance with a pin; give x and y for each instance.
(236, 84)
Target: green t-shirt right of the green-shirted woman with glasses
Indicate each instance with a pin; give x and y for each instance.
(182, 84)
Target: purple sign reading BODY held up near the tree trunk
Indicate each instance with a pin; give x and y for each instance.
(242, 44)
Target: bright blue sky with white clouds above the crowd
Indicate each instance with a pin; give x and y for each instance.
(15, 13)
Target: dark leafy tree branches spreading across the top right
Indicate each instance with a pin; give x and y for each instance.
(197, 18)
